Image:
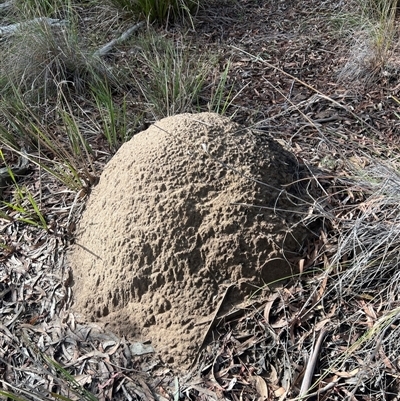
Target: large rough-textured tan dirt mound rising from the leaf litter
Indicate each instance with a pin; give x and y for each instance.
(179, 214)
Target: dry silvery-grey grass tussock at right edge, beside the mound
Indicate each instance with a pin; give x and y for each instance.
(370, 236)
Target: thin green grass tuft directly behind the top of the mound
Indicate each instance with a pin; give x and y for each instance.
(172, 77)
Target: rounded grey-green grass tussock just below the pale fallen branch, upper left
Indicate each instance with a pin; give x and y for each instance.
(42, 60)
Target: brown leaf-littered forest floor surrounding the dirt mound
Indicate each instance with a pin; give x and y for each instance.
(303, 73)
